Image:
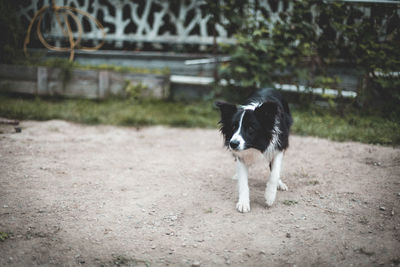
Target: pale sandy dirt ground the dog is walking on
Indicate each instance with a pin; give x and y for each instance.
(114, 196)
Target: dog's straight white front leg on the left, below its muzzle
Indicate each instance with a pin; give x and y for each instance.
(243, 204)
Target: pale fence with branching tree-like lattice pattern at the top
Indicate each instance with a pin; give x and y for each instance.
(159, 22)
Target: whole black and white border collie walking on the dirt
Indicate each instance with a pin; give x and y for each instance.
(261, 124)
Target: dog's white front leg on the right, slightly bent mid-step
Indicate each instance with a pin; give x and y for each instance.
(272, 184)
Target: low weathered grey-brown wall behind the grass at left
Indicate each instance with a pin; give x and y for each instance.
(93, 84)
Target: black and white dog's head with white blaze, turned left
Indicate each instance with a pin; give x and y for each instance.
(250, 126)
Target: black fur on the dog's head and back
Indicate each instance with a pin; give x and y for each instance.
(258, 125)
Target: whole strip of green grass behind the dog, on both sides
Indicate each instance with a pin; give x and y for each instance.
(127, 112)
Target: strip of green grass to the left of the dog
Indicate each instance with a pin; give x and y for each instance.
(124, 112)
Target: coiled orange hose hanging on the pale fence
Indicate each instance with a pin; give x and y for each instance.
(66, 12)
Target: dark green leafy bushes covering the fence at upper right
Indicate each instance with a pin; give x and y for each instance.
(301, 47)
